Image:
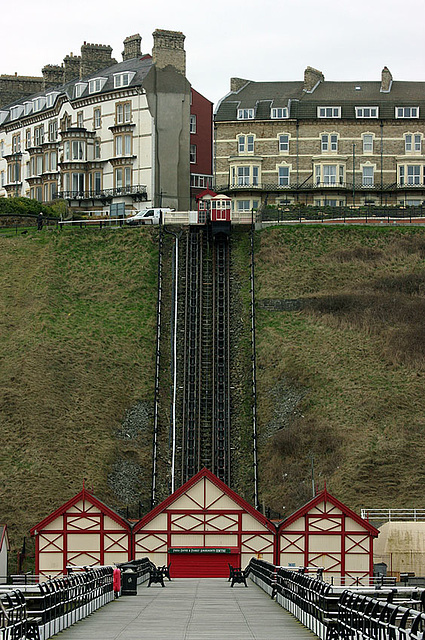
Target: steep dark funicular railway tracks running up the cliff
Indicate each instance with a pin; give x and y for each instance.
(206, 395)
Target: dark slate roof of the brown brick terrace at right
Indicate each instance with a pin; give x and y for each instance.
(262, 96)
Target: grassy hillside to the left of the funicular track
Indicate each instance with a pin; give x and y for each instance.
(77, 314)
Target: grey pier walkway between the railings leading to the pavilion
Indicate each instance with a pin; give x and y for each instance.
(191, 609)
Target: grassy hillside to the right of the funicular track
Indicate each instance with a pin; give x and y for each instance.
(342, 377)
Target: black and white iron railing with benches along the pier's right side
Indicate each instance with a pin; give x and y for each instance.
(364, 613)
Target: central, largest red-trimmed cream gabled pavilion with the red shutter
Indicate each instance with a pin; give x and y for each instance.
(202, 528)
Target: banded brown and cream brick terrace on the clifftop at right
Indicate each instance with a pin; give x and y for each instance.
(320, 143)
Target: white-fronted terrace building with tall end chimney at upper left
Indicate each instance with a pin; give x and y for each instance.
(119, 135)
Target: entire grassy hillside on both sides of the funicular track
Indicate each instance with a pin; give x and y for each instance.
(341, 375)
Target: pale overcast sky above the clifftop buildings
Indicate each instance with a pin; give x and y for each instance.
(261, 40)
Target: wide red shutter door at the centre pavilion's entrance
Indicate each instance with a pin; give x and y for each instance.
(202, 565)
